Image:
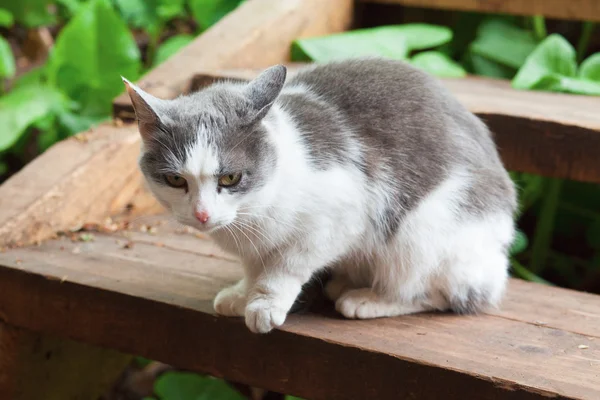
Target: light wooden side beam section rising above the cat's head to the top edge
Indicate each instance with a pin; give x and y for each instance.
(257, 34)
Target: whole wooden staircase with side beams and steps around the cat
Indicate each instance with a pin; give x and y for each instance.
(139, 284)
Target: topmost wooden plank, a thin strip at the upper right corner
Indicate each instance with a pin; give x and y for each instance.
(585, 10)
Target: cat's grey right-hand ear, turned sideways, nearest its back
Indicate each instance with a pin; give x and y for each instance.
(264, 89)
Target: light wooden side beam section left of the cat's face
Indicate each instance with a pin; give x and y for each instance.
(83, 179)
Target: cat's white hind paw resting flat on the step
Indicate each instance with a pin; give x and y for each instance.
(364, 304)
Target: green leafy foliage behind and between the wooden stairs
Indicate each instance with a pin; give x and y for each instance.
(61, 62)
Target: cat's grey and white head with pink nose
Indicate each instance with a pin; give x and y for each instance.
(207, 155)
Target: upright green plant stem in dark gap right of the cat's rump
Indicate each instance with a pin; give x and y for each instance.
(543, 231)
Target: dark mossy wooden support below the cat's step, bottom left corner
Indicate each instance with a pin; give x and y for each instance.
(34, 366)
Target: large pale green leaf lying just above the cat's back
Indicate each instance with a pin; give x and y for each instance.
(396, 41)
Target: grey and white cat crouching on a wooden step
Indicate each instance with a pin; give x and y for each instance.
(366, 167)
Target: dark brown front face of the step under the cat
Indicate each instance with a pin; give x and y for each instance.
(224, 348)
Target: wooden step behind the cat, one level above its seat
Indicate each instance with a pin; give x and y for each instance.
(550, 134)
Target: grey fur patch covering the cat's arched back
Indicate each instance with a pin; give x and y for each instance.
(405, 120)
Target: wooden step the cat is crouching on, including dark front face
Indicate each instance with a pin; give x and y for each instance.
(149, 292)
